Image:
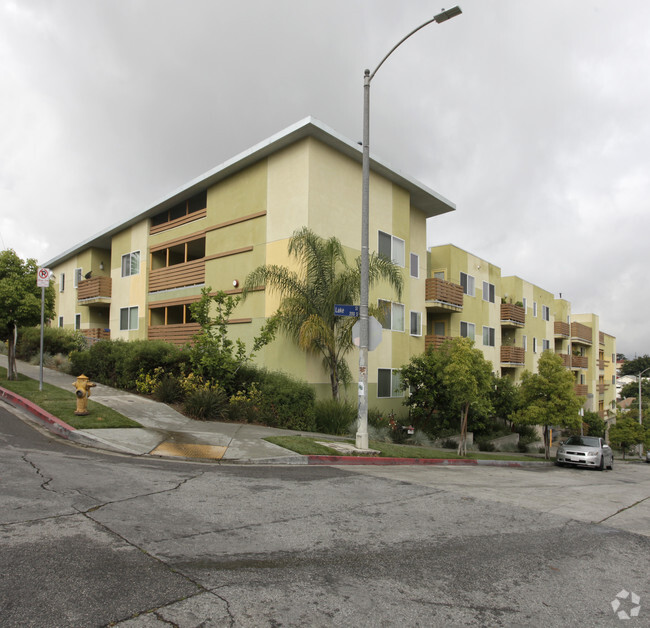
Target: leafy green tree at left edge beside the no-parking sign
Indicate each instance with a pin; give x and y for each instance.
(20, 301)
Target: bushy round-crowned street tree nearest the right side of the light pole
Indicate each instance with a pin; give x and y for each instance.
(449, 380)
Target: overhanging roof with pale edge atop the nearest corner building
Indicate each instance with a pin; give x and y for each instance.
(422, 197)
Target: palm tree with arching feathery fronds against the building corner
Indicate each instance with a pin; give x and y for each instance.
(308, 297)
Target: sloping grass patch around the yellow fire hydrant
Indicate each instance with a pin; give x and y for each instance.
(62, 404)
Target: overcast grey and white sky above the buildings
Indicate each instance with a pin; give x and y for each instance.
(532, 116)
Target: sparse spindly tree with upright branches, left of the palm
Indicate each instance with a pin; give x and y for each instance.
(213, 355)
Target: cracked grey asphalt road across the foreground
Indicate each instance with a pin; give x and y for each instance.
(92, 539)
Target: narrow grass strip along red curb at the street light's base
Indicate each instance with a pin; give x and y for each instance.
(307, 446)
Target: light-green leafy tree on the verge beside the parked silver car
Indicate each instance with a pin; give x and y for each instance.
(548, 397)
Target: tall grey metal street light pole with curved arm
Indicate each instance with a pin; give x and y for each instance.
(362, 430)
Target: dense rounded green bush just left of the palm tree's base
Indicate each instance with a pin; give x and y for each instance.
(286, 402)
